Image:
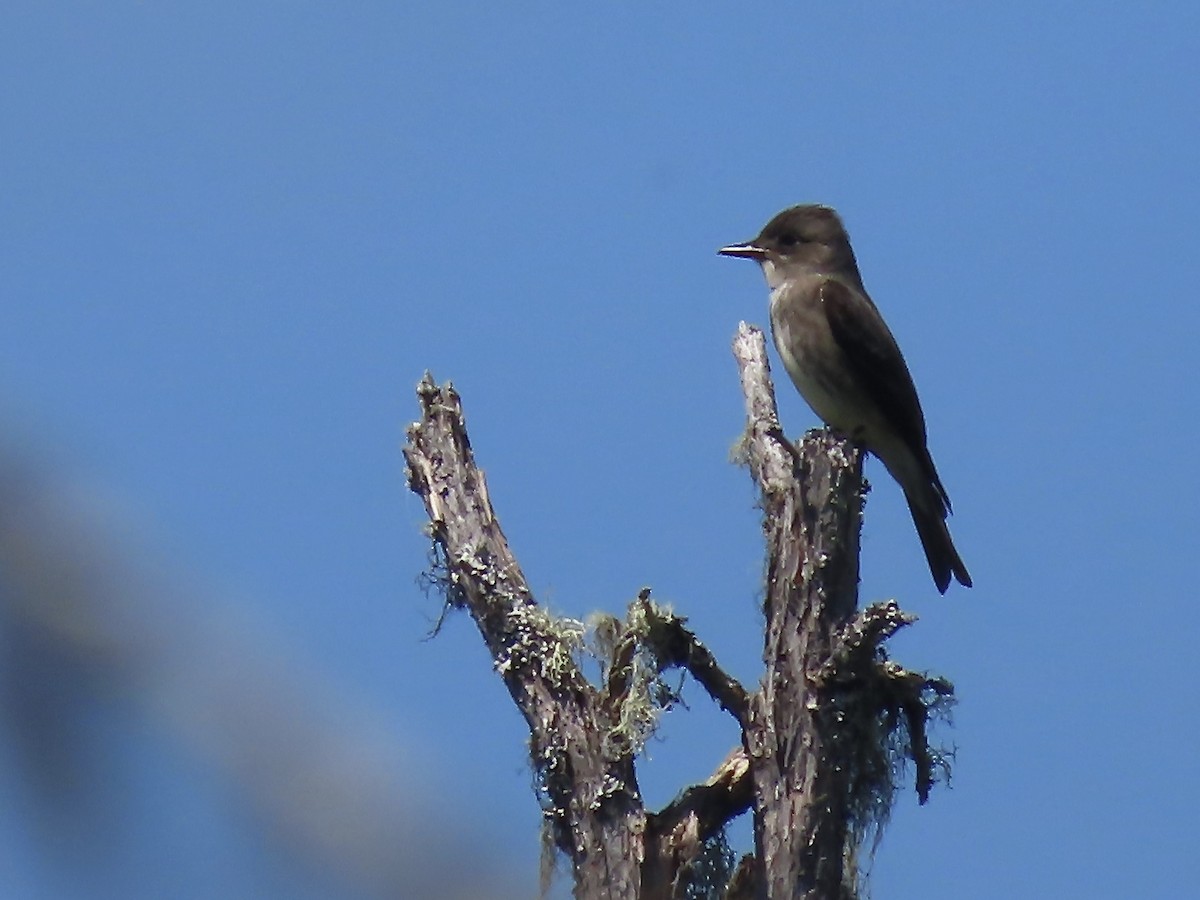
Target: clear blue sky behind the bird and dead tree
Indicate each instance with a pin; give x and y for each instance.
(235, 238)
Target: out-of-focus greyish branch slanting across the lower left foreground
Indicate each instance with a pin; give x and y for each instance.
(91, 625)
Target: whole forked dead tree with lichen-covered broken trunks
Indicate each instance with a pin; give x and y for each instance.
(814, 735)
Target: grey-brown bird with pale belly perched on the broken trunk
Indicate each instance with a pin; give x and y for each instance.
(847, 364)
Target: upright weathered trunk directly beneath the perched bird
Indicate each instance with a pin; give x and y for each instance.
(812, 519)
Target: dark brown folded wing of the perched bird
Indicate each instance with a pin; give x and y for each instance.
(878, 365)
